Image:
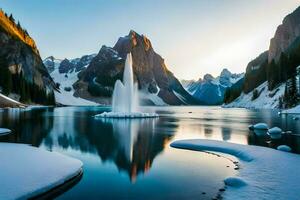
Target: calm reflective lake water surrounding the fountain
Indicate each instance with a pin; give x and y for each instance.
(132, 159)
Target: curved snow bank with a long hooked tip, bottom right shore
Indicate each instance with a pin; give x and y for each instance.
(268, 173)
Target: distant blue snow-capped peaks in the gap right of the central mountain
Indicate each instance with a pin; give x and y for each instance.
(211, 90)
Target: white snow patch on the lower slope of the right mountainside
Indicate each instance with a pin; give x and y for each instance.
(267, 99)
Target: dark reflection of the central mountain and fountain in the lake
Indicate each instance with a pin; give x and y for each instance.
(132, 144)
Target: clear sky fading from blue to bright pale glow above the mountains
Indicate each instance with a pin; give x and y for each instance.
(195, 37)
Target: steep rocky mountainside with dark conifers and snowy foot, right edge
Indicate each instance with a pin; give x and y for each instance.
(272, 79)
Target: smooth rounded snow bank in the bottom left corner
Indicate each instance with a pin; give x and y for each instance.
(27, 171)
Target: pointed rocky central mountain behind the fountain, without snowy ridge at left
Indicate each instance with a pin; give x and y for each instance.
(156, 83)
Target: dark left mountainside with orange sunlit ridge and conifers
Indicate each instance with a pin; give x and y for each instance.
(22, 71)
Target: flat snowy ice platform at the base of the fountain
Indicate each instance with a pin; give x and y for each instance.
(126, 115)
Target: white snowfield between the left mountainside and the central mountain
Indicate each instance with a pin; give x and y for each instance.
(66, 97)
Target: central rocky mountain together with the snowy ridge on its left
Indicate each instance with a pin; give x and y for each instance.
(92, 77)
